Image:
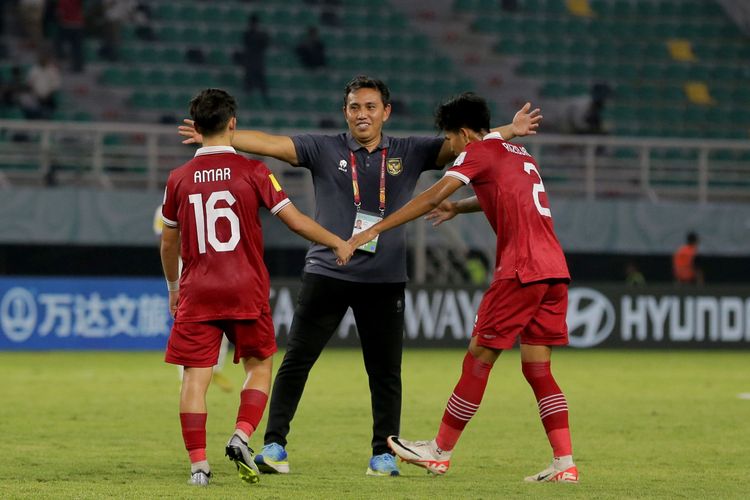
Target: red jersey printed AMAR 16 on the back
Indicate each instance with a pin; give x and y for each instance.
(214, 200)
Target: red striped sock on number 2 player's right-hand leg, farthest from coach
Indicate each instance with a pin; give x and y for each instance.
(553, 408)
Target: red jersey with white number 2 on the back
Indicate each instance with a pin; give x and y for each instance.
(509, 188)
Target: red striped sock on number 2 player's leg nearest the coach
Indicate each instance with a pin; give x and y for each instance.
(464, 402)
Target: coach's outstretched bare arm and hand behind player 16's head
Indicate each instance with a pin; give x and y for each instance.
(280, 147)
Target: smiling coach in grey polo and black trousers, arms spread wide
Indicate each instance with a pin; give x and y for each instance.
(360, 175)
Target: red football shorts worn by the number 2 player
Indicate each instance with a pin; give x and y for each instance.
(535, 312)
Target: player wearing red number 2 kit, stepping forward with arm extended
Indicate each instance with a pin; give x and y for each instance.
(528, 295)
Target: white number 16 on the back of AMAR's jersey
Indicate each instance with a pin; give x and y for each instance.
(213, 214)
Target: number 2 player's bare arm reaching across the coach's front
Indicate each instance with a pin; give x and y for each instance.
(417, 207)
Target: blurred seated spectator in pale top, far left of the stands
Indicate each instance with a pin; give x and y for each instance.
(44, 81)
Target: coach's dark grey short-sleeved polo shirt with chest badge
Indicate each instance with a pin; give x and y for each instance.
(327, 157)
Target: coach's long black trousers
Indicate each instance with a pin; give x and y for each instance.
(379, 314)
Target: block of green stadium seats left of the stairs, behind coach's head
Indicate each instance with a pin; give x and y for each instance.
(197, 43)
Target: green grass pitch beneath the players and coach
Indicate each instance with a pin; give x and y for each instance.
(645, 425)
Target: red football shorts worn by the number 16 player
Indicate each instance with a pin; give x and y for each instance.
(197, 344)
